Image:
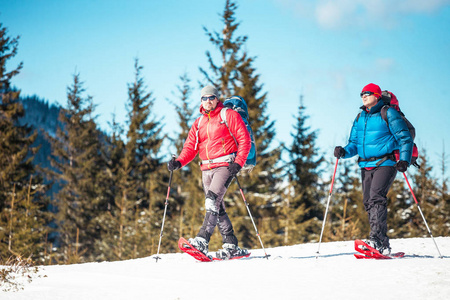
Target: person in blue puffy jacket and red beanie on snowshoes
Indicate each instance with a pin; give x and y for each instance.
(374, 141)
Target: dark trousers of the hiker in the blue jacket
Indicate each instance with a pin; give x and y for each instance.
(375, 186)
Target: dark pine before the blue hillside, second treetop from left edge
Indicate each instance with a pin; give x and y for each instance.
(77, 158)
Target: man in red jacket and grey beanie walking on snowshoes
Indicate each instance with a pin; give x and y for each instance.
(221, 161)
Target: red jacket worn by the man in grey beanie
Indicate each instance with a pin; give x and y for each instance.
(214, 139)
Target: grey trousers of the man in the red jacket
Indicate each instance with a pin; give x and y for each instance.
(215, 185)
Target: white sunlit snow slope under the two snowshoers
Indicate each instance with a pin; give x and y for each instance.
(292, 272)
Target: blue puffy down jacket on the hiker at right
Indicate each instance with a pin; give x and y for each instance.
(371, 137)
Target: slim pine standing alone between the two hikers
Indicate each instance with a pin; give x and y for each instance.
(303, 171)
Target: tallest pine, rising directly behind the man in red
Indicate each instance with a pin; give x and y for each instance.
(236, 75)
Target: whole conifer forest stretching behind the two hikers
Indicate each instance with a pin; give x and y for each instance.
(72, 193)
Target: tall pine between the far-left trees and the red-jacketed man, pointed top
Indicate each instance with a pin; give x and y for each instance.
(140, 178)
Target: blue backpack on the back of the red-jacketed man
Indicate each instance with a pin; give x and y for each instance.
(238, 104)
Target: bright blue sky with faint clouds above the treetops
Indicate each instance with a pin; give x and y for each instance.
(325, 50)
